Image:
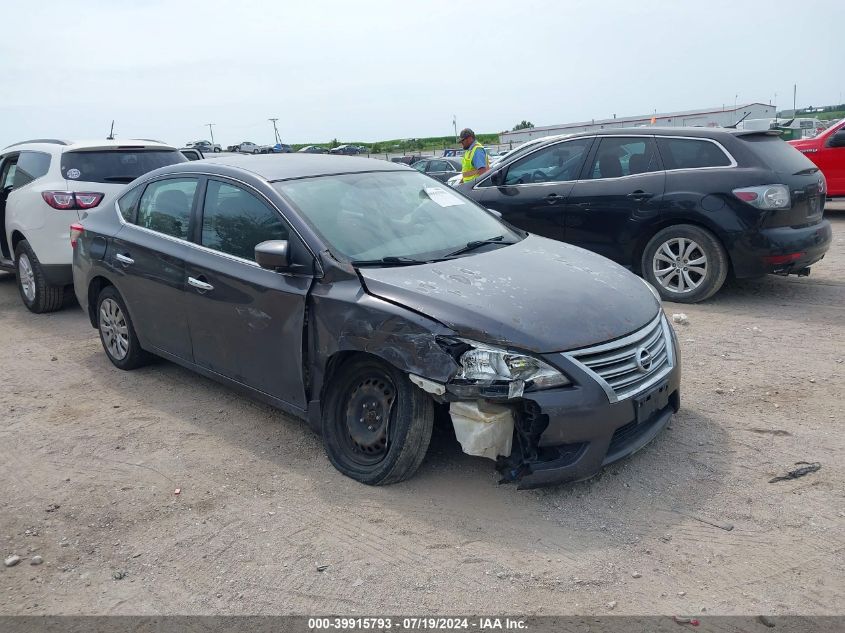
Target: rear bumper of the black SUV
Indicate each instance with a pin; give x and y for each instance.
(750, 251)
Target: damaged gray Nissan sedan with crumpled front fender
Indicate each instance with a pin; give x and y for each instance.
(360, 295)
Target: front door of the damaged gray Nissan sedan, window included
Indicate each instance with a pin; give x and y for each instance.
(246, 322)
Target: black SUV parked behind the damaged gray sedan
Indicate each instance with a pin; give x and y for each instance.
(684, 207)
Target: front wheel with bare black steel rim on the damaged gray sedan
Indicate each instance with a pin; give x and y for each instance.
(376, 425)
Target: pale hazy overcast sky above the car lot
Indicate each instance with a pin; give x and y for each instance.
(370, 70)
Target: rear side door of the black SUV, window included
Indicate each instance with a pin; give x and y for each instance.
(620, 190)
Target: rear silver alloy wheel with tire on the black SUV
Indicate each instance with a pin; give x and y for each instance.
(685, 263)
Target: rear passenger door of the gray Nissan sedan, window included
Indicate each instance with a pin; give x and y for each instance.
(147, 255)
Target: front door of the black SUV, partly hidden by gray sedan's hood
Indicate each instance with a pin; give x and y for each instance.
(534, 189)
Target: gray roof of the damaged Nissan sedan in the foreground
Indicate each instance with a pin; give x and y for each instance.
(272, 167)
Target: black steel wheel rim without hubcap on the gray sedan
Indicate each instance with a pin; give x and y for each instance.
(366, 417)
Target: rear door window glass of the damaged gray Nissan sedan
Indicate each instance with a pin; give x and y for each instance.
(166, 206)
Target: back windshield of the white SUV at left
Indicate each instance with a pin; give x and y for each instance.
(115, 166)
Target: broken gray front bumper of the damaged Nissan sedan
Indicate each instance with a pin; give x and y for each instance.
(583, 430)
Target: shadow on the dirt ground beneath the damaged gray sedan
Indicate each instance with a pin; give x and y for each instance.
(451, 492)
